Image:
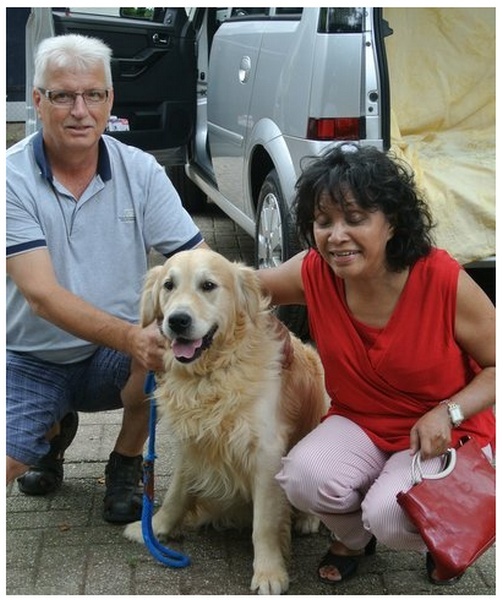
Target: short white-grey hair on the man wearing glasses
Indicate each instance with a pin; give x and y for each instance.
(73, 52)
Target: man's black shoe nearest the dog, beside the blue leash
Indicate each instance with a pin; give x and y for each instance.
(123, 496)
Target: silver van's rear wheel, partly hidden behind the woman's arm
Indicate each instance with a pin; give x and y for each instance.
(275, 242)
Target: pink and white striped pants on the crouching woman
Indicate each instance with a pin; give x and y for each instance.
(337, 473)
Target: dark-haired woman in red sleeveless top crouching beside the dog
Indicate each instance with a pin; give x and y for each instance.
(407, 340)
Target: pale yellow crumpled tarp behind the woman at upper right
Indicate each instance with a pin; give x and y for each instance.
(442, 74)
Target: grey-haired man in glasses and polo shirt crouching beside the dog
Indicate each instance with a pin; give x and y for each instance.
(83, 211)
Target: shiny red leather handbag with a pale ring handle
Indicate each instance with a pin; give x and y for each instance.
(454, 510)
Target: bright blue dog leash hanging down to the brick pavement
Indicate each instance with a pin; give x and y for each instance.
(165, 555)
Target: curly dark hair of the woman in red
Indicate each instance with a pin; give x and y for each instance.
(377, 182)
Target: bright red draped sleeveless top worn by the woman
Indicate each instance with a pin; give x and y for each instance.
(386, 379)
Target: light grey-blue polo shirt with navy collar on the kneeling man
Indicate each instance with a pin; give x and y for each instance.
(99, 244)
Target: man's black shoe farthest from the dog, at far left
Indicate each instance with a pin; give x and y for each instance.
(46, 475)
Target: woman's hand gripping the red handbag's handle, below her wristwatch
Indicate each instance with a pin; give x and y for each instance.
(432, 433)
